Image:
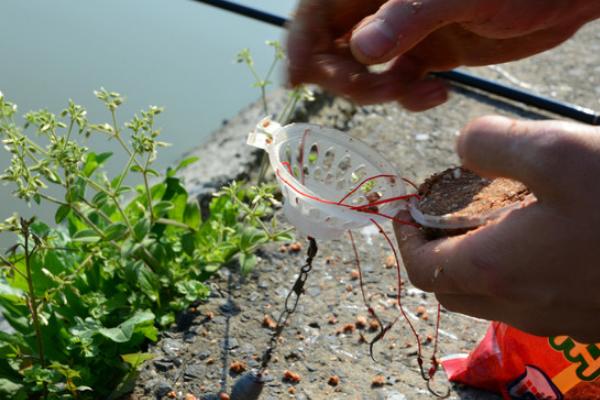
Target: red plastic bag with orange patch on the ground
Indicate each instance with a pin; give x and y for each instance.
(526, 367)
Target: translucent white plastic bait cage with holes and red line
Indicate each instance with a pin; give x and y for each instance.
(331, 182)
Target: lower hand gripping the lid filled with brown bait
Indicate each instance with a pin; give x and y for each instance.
(538, 267)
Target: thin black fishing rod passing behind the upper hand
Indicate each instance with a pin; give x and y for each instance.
(561, 108)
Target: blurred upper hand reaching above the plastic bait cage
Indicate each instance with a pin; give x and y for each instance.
(326, 47)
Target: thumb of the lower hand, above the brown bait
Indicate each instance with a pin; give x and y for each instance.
(544, 155)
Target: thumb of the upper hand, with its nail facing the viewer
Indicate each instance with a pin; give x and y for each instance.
(400, 24)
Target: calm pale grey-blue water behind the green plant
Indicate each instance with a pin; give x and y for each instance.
(174, 53)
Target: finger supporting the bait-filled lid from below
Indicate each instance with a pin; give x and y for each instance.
(481, 262)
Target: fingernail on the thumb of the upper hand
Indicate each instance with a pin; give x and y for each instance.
(375, 39)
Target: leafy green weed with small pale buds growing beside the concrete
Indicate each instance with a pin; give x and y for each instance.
(84, 297)
